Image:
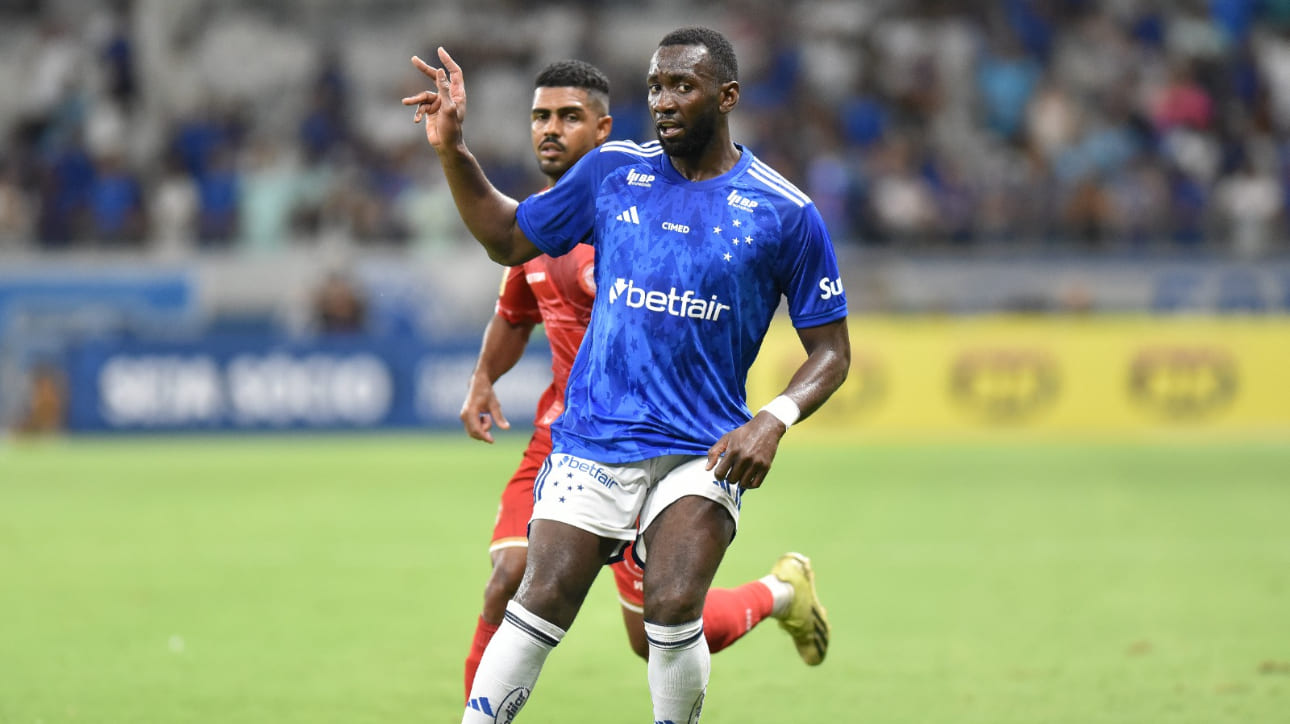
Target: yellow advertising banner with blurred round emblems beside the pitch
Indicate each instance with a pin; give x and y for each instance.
(949, 376)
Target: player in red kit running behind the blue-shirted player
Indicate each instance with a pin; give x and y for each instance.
(570, 118)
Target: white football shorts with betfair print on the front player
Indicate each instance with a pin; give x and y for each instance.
(620, 501)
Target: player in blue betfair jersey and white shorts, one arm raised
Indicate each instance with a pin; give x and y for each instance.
(696, 245)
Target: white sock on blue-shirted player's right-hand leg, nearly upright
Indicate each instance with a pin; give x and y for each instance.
(679, 668)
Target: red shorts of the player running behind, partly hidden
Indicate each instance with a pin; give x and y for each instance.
(517, 508)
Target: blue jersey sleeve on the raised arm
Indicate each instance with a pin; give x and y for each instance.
(564, 216)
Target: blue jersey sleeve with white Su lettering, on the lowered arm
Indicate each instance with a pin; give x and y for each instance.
(809, 273)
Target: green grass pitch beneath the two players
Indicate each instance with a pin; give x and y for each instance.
(337, 580)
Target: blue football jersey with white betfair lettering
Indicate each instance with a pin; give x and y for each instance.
(688, 279)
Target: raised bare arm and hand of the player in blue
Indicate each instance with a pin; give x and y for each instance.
(487, 212)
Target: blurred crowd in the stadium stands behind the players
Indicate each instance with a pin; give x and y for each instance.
(189, 126)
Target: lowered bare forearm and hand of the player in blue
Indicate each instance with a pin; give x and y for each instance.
(745, 455)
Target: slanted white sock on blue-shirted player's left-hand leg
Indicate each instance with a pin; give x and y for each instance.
(510, 667)
